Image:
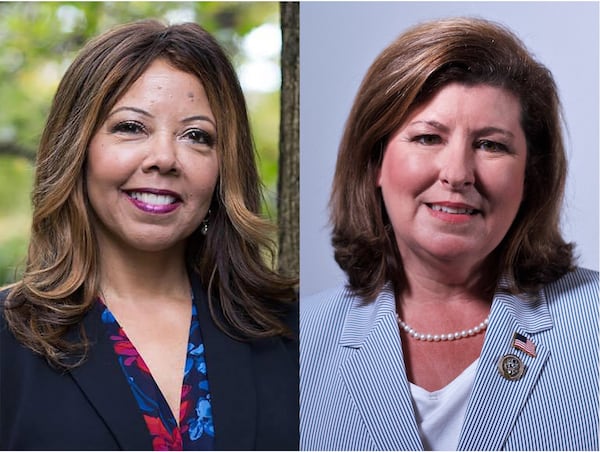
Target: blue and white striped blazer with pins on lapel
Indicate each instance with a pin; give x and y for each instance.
(354, 394)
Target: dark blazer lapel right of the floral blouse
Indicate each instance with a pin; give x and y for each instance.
(230, 379)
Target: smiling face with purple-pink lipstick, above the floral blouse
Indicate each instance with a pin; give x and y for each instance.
(152, 165)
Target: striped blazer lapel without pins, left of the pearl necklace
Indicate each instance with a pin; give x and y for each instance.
(375, 374)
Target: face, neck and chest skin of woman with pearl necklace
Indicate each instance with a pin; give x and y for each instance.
(464, 149)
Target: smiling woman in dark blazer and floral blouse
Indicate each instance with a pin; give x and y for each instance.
(147, 316)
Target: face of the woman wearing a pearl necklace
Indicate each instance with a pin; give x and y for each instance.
(452, 175)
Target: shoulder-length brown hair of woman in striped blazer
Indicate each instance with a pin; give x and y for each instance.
(406, 75)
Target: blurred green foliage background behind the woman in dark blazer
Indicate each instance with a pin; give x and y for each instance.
(39, 40)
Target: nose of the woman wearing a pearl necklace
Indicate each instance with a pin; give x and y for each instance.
(457, 166)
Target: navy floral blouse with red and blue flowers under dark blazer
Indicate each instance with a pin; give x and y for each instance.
(195, 430)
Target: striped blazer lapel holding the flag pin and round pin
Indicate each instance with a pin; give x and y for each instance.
(496, 402)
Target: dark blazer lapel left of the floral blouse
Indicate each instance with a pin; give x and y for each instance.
(104, 385)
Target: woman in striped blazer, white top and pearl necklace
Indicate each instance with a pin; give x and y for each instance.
(462, 295)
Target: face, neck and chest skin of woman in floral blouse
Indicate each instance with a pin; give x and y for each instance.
(151, 172)
